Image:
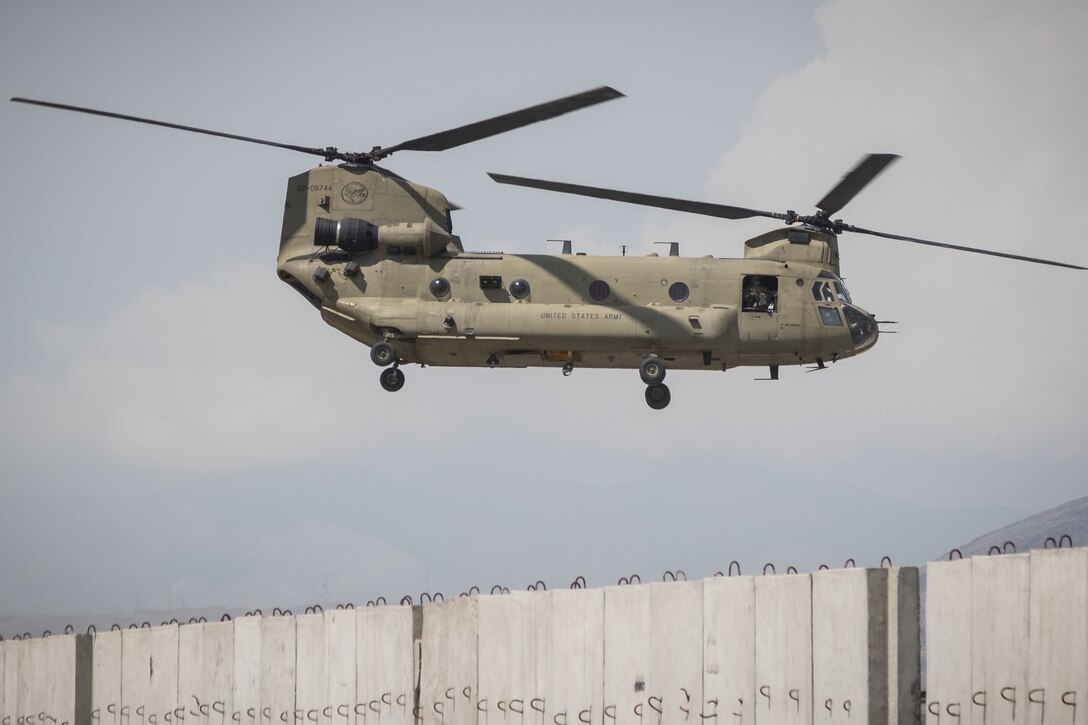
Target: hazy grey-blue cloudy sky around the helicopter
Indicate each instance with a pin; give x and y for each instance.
(178, 427)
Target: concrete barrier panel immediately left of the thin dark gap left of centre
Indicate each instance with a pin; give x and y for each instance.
(387, 678)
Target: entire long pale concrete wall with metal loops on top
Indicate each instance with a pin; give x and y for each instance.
(1008, 643)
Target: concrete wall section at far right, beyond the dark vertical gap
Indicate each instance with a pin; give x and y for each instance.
(1008, 640)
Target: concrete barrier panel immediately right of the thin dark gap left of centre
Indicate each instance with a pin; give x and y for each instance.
(449, 665)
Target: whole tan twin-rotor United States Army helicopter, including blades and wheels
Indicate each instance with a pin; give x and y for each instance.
(377, 256)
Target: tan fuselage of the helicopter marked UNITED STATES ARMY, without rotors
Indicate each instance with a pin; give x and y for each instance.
(597, 312)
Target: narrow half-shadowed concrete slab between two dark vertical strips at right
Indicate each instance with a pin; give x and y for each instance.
(905, 647)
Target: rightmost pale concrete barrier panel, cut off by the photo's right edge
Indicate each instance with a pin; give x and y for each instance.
(1058, 662)
